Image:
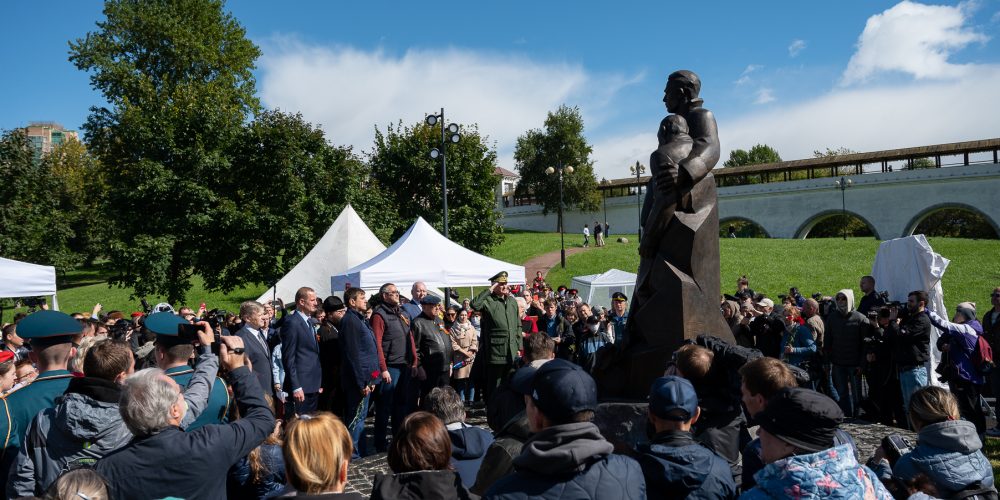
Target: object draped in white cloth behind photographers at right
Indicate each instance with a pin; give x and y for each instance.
(906, 264)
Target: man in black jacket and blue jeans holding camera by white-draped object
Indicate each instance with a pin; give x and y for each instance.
(911, 344)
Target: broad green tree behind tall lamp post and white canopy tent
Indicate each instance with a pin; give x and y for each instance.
(401, 160)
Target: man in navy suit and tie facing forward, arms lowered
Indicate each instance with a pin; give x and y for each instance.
(300, 354)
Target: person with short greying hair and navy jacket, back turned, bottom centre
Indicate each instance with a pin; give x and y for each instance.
(468, 444)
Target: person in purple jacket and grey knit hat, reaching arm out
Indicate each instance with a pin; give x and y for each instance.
(957, 342)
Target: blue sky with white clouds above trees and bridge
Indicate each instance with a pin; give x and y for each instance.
(799, 76)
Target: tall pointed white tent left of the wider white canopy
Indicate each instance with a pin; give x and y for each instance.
(347, 243)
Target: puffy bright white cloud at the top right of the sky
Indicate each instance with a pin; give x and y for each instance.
(915, 39)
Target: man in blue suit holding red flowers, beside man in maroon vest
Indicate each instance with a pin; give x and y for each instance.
(360, 369)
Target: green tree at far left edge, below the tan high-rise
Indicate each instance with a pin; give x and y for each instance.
(33, 226)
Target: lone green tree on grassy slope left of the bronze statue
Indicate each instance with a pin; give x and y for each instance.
(560, 141)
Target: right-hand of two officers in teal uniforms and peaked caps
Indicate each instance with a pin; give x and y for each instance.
(208, 403)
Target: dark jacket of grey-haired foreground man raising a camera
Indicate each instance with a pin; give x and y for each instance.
(190, 465)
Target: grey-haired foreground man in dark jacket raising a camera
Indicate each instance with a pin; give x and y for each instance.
(164, 461)
